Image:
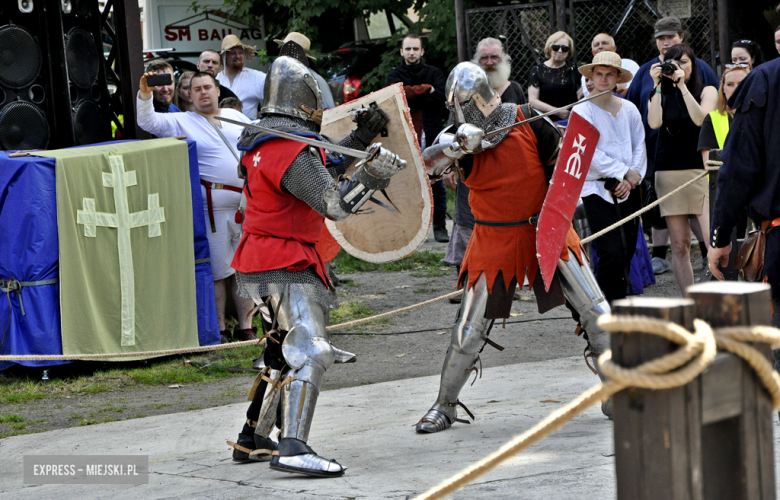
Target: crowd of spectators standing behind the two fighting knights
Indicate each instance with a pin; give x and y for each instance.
(657, 127)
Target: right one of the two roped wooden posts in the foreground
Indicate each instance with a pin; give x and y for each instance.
(736, 410)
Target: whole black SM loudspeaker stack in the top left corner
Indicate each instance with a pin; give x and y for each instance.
(53, 90)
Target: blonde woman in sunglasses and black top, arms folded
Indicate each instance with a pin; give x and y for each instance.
(556, 81)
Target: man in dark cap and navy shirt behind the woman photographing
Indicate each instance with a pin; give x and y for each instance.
(668, 33)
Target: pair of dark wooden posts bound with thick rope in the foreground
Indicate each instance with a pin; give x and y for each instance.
(711, 439)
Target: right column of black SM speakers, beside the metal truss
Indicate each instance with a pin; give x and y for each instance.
(82, 48)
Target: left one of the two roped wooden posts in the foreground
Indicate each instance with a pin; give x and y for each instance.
(657, 441)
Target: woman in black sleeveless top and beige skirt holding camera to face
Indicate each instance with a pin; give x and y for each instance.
(678, 105)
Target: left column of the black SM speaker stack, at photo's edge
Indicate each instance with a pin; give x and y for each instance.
(26, 107)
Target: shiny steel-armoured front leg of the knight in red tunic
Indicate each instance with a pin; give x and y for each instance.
(307, 350)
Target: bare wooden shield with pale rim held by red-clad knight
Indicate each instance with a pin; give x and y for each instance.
(379, 235)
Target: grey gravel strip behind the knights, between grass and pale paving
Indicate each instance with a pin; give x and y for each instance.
(383, 356)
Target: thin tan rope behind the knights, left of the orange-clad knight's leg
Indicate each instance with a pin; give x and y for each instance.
(208, 348)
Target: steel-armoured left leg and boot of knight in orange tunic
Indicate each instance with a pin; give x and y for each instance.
(468, 336)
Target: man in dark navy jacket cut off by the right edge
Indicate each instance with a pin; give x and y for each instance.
(750, 176)
